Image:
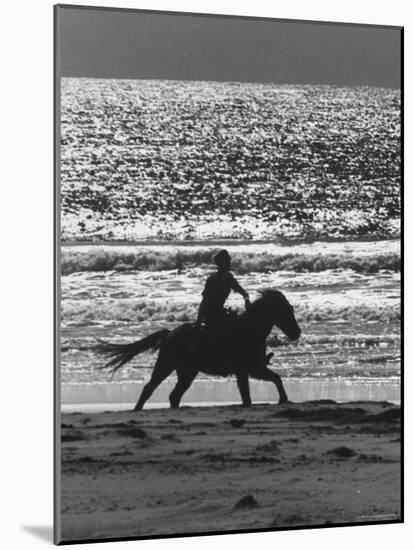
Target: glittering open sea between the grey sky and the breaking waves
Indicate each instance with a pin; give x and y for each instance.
(178, 160)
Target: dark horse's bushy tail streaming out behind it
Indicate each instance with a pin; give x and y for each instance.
(122, 353)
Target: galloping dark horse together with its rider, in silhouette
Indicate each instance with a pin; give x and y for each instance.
(220, 342)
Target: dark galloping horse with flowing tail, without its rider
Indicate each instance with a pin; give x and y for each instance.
(188, 350)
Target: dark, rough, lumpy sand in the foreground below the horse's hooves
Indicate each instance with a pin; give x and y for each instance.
(207, 469)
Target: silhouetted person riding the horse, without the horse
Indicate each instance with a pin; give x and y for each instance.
(216, 291)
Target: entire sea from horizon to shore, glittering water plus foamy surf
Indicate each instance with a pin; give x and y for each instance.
(300, 183)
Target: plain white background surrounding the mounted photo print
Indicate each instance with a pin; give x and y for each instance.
(27, 283)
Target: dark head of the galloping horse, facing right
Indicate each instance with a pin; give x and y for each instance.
(280, 312)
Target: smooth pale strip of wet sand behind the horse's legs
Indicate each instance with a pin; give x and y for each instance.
(118, 396)
